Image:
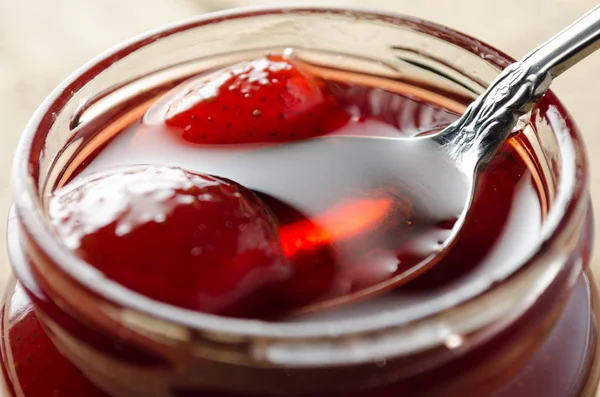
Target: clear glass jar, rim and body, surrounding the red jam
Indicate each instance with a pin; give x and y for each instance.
(527, 328)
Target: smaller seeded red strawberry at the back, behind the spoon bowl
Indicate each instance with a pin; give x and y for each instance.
(268, 99)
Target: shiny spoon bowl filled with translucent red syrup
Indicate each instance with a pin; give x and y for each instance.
(426, 195)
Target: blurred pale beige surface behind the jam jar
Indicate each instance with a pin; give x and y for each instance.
(42, 41)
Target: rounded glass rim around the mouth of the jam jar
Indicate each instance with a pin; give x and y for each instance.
(569, 199)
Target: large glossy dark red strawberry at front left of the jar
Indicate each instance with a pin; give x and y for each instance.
(191, 240)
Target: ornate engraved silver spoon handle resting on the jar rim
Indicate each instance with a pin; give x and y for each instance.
(490, 119)
